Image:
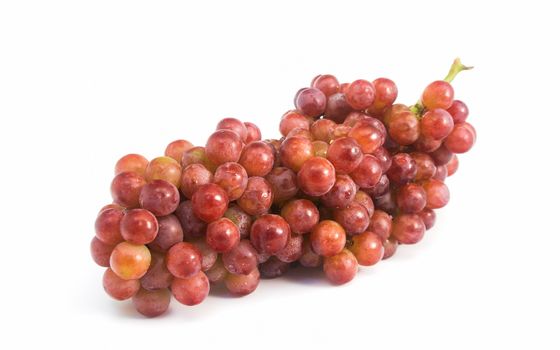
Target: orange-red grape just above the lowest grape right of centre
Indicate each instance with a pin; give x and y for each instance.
(328, 238)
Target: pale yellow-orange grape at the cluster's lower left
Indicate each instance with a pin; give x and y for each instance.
(130, 261)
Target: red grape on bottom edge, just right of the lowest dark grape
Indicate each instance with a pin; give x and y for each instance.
(191, 290)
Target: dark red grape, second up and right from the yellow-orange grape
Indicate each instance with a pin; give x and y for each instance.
(160, 197)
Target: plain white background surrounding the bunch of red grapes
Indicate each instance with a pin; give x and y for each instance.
(85, 82)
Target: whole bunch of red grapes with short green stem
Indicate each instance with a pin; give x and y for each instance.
(353, 176)
